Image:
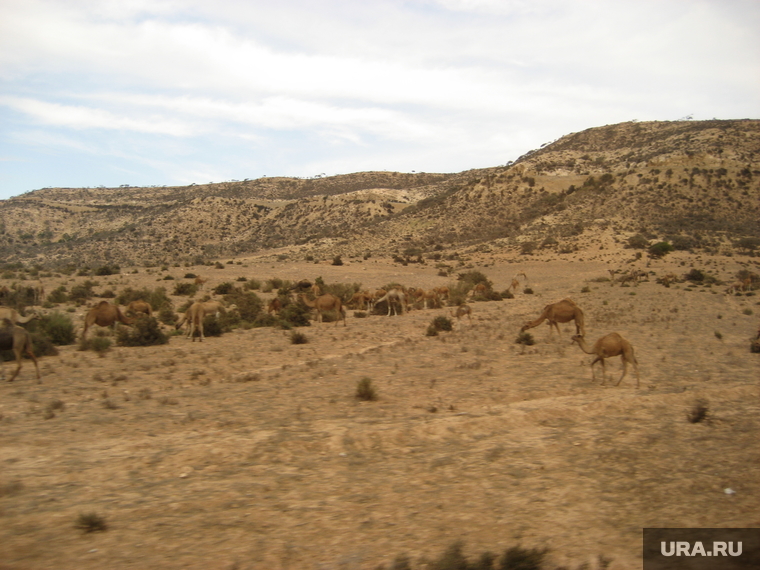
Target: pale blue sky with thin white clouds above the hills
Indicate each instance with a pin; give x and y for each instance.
(174, 92)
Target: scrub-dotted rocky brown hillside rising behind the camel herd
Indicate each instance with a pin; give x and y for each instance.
(696, 183)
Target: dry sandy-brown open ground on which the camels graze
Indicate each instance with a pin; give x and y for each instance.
(246, 451)
